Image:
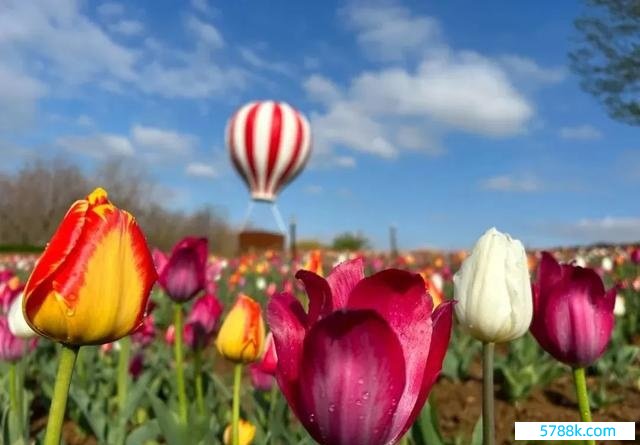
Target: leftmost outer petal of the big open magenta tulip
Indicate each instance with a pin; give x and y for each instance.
(287, 321)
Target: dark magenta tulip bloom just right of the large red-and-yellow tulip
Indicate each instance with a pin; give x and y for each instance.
(183, 275)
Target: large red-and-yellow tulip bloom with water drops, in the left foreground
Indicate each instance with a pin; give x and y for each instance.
(92, 283)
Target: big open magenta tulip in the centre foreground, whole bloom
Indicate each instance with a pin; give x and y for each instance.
(358, 367)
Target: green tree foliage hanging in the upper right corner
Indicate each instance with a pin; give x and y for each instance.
(607, 56)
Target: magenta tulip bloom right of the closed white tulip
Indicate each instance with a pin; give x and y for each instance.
(572, 314)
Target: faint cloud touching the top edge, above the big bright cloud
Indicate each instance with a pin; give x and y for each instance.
(390, 32)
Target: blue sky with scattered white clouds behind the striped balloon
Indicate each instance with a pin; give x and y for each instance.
(442, 118)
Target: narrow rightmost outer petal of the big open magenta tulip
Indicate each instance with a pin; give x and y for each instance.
(442, 319)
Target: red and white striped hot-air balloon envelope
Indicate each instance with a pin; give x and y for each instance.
(269, 144)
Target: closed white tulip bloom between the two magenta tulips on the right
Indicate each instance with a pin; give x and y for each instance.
(493, 289)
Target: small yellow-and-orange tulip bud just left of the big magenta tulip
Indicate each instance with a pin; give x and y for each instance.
(241, 337)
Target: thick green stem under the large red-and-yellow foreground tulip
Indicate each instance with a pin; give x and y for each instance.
(68, 356)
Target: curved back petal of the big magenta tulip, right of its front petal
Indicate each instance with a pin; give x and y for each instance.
(400, 297)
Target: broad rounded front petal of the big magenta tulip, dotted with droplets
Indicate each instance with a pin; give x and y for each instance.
(351, 379)
